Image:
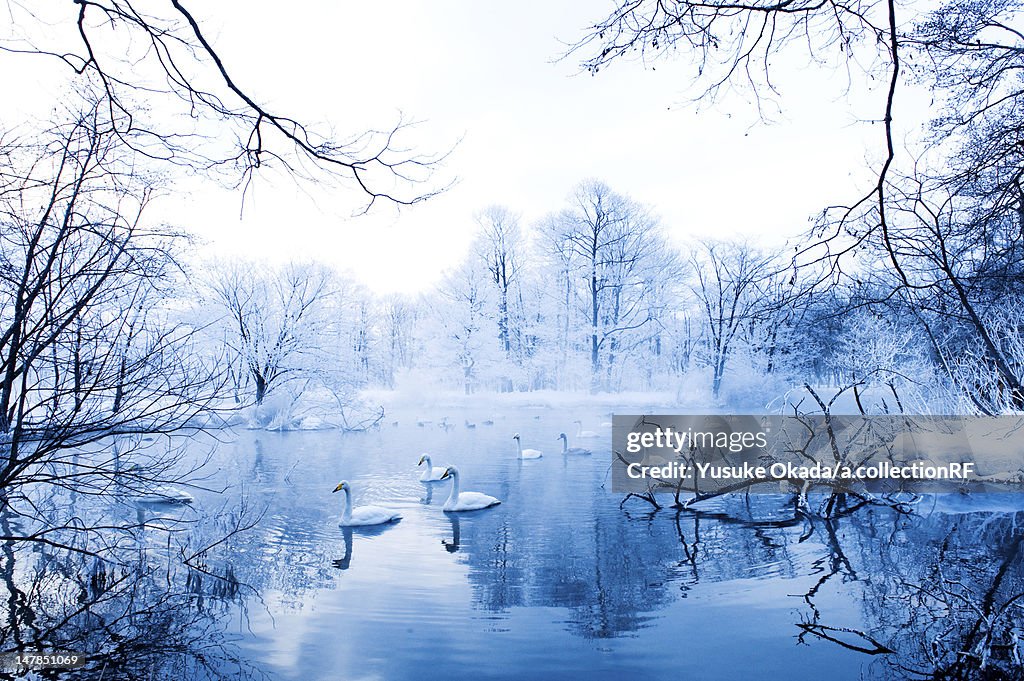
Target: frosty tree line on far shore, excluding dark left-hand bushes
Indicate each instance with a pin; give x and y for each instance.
(598, 297)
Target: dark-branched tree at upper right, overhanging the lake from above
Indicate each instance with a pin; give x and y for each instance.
(940, 227)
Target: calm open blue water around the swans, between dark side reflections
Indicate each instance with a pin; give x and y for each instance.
(559, 581)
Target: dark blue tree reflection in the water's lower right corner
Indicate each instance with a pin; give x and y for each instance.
(941, 595)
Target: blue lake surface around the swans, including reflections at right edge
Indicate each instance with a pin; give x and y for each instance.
(562, 580)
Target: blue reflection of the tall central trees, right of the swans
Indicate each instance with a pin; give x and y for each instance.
(606, 573)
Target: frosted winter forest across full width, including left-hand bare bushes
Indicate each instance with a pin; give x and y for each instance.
(594, 299)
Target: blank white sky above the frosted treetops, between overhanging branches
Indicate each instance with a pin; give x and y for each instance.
(531, 127)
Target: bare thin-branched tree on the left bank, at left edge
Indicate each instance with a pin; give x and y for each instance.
(93, 353)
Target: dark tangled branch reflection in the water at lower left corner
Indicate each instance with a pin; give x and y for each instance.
(135, 615)
